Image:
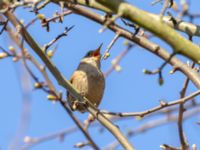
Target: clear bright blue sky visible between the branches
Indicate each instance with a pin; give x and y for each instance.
(128, 90)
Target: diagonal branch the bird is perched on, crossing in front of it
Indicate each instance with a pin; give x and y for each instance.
(66, 84)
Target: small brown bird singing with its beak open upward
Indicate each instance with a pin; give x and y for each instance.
(88, 80)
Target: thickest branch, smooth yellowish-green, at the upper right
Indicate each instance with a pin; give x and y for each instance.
(144, 19)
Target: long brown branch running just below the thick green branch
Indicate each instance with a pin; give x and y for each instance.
(142, 41)
